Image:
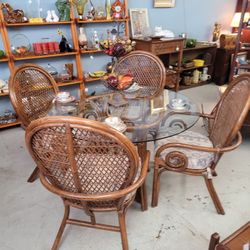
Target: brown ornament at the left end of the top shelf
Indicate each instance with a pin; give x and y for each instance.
(13, 16)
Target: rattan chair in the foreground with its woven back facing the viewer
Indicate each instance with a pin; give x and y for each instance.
(90, 165)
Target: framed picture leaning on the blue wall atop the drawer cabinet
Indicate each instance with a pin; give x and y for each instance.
(139, 22)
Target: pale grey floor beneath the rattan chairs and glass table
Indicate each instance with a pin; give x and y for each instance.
(184, 219)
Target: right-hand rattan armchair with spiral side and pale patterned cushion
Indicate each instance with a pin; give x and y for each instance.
(193, 153)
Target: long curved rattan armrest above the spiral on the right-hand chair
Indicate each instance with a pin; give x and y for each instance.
(201, 148)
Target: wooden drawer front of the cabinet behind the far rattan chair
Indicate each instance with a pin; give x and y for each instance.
(166, 47)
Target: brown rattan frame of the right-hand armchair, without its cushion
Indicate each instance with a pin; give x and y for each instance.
(224, 124)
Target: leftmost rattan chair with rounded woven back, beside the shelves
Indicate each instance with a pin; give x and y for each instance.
(32, 90)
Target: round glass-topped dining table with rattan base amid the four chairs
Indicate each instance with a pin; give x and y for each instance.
(144, 124)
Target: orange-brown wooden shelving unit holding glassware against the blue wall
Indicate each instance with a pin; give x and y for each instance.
(74, 22)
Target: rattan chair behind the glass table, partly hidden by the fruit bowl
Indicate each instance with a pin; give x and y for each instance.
(147, 69)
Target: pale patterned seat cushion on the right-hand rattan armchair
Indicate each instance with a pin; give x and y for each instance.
(196, 159)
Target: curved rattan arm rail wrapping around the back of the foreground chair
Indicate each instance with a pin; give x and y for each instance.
(99, 197)
